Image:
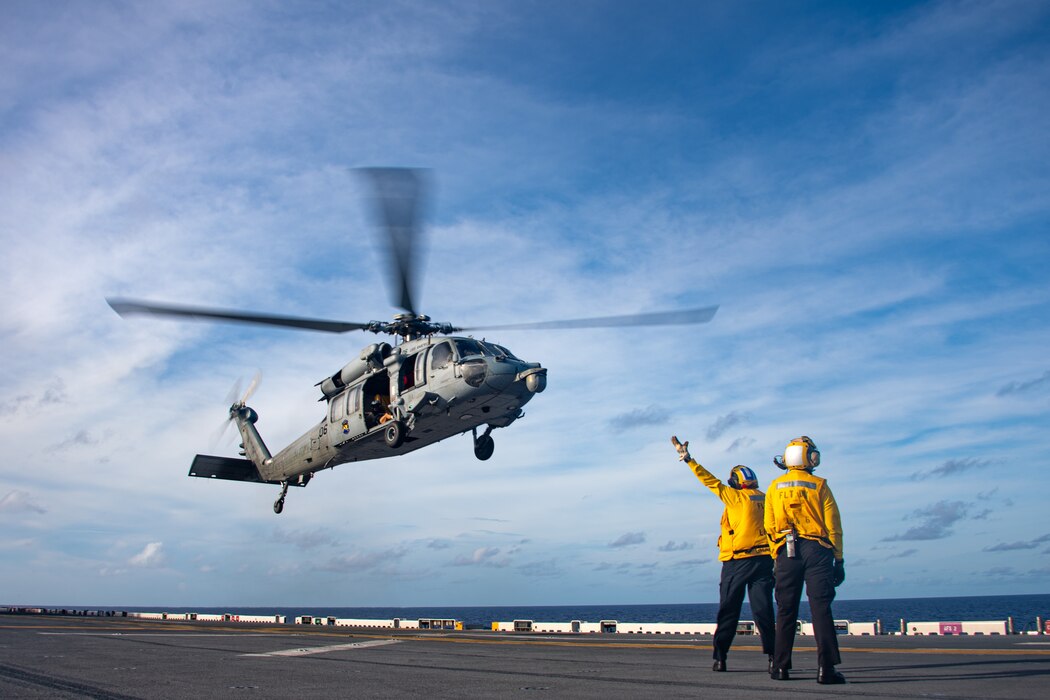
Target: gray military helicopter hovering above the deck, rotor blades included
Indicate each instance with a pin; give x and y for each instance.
(430, 385)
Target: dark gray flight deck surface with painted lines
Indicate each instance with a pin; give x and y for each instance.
(83, 657)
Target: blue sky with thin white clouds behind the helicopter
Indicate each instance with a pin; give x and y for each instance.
(863, 188)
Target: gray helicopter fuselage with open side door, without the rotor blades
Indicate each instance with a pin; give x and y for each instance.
(423, 392)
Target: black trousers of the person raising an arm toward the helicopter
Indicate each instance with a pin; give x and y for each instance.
(753, 575)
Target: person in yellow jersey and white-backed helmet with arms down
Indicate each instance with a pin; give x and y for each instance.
(805, 529)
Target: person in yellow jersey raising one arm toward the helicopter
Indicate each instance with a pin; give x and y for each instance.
(745, 554)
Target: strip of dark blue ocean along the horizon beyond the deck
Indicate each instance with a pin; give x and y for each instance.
(1024, 610)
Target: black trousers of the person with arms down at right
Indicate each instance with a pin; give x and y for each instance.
(814, 567)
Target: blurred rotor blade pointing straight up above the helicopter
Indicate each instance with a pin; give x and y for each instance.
(400, 195)
